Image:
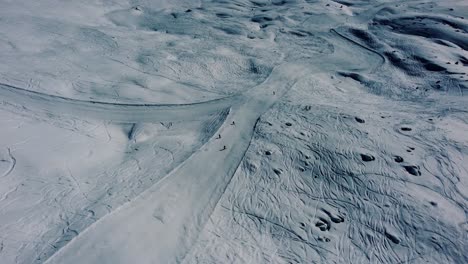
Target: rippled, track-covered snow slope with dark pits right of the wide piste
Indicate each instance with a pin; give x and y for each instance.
(333, 177)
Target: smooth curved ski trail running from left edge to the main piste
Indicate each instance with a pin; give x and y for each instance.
(116, 112)
